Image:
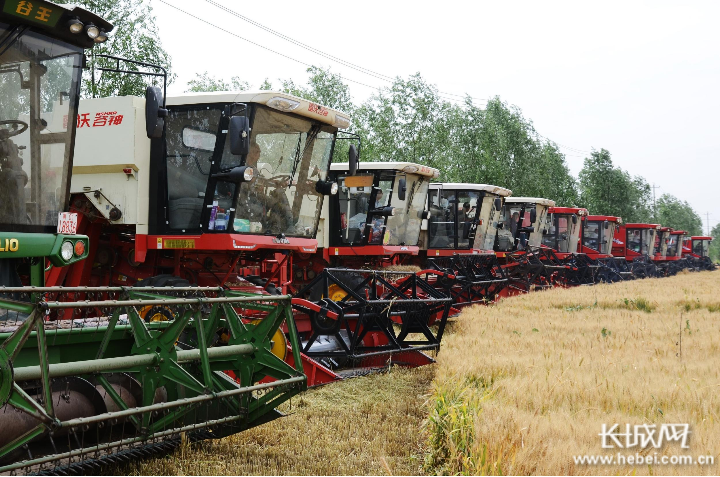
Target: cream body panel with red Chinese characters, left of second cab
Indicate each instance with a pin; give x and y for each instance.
(111, 138)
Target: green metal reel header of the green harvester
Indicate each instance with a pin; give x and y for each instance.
(181, 359)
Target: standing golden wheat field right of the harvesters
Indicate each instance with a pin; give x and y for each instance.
(525, 385)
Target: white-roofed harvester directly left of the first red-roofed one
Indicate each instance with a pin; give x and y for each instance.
(519, 241)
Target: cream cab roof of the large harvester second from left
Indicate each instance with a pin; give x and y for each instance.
(292, 104)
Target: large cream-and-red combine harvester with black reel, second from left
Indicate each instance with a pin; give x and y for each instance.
(230, 195)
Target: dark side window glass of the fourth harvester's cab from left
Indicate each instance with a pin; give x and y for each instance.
(454, 217)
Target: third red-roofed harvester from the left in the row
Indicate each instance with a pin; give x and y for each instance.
(636, 244)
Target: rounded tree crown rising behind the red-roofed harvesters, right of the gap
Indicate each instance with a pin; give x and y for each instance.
(609, 190)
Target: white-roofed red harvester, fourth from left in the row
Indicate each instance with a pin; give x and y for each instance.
(458, 238)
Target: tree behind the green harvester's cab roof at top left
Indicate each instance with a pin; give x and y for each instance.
(135, 37)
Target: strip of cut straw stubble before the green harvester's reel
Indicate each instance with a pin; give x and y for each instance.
(362, 426)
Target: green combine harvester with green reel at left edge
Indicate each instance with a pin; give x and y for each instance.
(84, 379)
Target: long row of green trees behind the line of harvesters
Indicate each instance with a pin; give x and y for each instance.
(410, 121)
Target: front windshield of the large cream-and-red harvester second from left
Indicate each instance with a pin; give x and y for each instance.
(290, 155)
